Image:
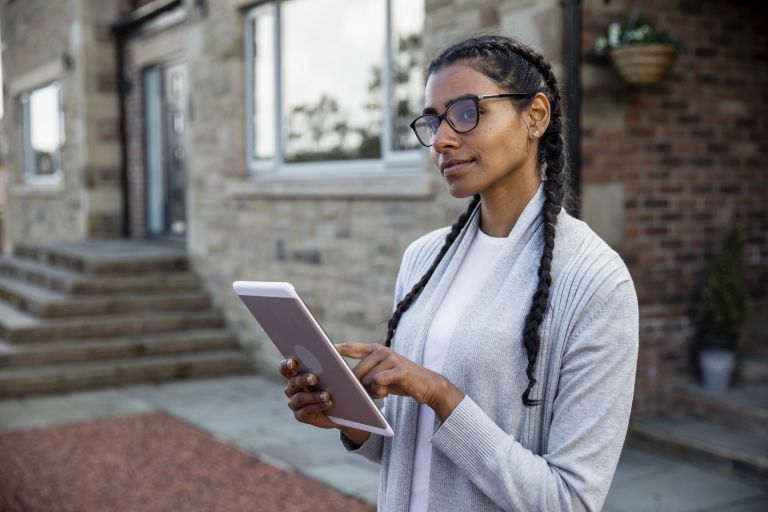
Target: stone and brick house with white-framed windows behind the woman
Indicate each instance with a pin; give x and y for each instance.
(273, 148)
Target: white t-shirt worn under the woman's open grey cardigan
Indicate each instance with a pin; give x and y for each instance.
(469, 278)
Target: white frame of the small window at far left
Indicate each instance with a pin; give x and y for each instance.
(26, 156)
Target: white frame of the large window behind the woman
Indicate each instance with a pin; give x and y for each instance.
(392, 162)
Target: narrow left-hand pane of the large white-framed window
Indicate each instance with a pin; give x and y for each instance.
(264, 86)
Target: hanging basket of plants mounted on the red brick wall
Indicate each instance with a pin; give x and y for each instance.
(641, 54)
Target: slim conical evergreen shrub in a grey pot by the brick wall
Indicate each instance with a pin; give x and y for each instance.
(722, 311)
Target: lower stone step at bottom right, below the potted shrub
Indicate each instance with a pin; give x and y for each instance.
(705, 444)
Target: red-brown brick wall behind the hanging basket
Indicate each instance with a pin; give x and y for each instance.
(691, 155)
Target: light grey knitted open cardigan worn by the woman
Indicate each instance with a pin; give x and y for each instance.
(492, 453)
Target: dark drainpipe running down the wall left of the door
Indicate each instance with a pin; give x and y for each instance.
(121, 29)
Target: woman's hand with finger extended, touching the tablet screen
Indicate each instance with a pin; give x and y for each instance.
(383, 371)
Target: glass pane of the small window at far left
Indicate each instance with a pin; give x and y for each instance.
(44, 135)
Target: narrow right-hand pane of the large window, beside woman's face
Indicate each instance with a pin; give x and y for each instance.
(407, 28)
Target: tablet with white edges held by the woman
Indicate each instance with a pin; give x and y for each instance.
(296, 334)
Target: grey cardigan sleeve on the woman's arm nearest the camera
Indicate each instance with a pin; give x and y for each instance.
(589, 421)
